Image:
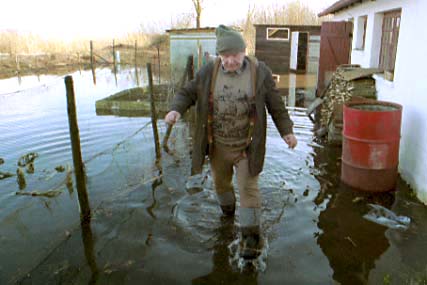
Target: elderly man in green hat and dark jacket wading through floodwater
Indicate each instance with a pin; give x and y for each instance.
(231, 95)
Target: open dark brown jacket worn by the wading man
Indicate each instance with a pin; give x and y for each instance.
(197, 92)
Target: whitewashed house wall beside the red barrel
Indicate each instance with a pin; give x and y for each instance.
(409, 87)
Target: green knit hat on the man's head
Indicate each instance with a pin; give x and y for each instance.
(228, 40)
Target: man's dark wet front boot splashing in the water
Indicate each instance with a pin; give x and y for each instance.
(251, 243)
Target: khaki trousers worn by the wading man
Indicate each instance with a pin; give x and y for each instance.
(223, 162)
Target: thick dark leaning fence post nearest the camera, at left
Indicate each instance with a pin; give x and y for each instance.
(76, 150)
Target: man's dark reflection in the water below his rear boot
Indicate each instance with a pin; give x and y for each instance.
(222, 271)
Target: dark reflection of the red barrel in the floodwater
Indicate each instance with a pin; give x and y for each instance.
(351, 243)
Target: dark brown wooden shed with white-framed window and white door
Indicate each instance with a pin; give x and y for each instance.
(273, 46)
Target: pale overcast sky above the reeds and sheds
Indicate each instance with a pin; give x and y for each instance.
(99, 18)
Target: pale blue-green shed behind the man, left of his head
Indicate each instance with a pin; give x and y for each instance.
(185, 42)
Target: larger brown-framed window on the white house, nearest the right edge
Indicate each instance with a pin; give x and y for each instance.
(389, 39)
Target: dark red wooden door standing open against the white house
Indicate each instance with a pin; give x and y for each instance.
(335, 49)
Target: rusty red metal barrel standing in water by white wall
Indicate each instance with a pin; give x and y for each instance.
(370, 153)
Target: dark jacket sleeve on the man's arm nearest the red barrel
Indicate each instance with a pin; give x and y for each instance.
(275, 105)
